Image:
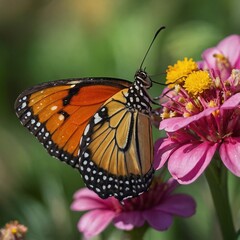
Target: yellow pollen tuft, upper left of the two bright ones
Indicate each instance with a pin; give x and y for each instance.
(177, 73)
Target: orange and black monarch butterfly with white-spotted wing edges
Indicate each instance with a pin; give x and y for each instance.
(101, 126)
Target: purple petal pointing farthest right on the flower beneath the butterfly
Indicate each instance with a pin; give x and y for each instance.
(179, 205)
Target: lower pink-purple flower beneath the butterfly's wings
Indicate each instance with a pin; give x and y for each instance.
(157, 207)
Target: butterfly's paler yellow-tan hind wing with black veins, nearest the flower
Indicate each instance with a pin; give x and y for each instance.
(117, 151)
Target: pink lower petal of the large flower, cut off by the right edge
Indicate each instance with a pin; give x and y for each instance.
(230, 154)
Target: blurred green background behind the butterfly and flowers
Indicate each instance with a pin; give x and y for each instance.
(53, 39)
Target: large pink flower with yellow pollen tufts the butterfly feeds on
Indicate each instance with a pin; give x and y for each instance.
(201, 113)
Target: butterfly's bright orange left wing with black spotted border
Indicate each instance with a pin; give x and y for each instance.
(57, 112)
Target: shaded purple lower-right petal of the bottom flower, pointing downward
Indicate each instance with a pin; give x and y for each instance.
(158, 220)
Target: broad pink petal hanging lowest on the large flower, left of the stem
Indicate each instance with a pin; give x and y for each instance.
(189, 161)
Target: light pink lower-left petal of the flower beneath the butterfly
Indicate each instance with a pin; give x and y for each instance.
(94, 222)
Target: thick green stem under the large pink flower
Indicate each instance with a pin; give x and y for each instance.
(216, 175)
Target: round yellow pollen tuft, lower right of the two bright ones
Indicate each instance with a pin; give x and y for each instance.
(197, 82)
